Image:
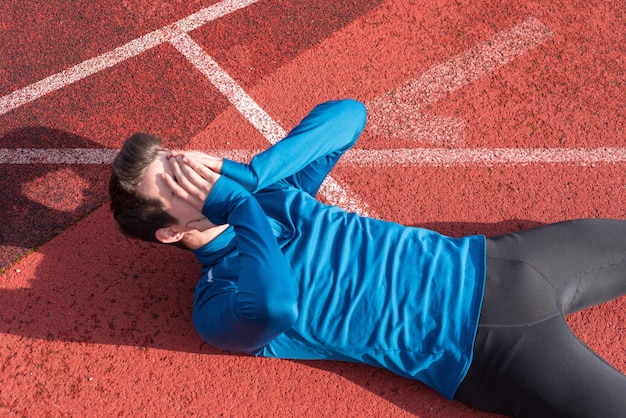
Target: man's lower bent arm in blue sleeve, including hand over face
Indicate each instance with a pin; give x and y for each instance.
(252, 296)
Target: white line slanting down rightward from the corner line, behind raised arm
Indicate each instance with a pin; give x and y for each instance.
(272, 131)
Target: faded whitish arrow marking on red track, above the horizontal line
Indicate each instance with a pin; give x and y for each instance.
(397, 114)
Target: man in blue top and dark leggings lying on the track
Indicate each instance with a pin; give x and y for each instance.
(478, 319)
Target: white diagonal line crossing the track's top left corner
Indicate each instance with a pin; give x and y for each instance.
(109, 59)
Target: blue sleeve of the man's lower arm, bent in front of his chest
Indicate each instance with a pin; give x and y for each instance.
(244, 313)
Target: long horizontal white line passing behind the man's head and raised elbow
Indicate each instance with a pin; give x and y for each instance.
(438, 157)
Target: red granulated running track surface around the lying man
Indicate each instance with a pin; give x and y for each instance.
(95, 324)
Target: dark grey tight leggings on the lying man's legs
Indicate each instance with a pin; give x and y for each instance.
(527, 362)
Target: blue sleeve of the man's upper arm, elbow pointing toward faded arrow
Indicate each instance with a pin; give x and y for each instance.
(308, 153)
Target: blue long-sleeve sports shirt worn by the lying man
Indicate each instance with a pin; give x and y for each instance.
(295, 278)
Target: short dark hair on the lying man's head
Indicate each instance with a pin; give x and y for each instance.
(137, 216)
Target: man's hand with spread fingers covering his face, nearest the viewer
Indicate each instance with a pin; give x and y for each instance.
(191, 179)
